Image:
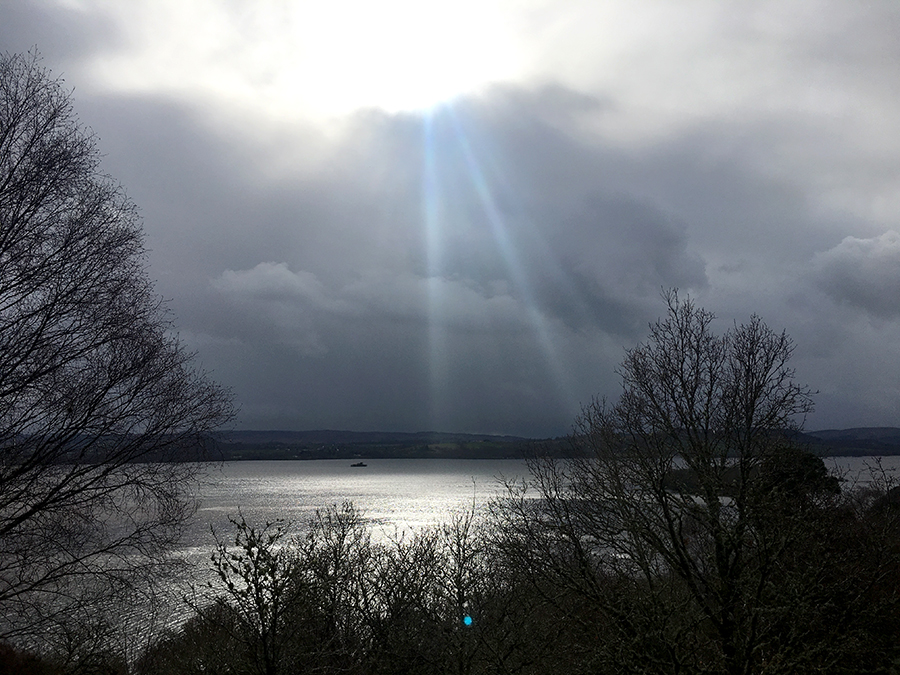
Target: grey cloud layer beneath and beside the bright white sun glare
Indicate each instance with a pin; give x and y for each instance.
(483, 268)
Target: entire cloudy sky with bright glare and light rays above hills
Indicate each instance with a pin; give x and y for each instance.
(456, 215)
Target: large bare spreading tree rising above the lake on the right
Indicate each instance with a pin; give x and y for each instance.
(670, 522)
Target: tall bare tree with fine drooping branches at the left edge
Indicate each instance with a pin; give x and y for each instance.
(99, 402)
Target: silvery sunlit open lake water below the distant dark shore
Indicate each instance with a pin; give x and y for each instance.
(395, 495)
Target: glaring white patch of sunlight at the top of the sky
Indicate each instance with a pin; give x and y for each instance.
(307, 56)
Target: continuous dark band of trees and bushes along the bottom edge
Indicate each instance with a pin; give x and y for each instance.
(523, 588)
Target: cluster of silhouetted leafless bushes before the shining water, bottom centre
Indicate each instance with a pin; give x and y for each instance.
(331, 600)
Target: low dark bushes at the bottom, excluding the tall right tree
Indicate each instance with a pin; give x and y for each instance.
(334, 601)
